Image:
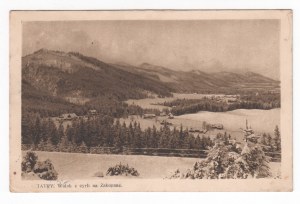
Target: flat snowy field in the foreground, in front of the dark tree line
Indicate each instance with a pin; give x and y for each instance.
(84, 166)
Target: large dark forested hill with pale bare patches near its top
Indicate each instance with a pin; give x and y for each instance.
(72, 75)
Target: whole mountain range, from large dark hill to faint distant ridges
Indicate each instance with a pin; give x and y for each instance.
(74, 78)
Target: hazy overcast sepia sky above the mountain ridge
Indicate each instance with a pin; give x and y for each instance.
(209, 45)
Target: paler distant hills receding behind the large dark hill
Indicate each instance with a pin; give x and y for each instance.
(202, 82)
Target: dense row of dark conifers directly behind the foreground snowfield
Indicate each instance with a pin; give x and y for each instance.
(107, 132)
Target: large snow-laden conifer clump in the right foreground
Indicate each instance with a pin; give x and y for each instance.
(225, 162)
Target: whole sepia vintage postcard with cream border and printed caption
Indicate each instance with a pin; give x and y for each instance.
(197, 100)
